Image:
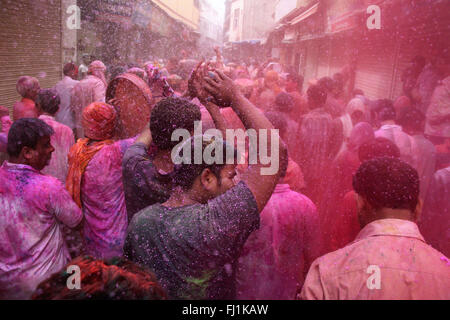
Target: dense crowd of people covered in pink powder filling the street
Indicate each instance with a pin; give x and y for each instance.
(361, 183)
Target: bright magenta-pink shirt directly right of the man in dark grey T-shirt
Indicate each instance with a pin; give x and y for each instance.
(275, 258)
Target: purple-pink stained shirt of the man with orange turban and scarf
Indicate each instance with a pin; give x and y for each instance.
(103, 200)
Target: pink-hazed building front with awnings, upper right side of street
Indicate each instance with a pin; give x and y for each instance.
(320, 38)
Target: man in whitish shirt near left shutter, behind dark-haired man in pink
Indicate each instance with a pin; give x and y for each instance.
(63, 88)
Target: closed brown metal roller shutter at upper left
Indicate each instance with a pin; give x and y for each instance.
(30, 33)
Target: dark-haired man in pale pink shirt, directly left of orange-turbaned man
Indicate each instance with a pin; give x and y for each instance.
(47, 104)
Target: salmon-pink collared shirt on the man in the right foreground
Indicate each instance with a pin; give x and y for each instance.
(409, 268)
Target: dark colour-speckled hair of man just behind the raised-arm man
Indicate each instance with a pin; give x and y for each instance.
(169, 115)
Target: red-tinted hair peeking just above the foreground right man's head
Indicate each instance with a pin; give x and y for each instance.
(380, 147)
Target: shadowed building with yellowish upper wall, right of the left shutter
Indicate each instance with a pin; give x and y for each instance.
(121, 31)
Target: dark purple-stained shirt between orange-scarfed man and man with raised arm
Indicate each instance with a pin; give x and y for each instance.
(143, 184)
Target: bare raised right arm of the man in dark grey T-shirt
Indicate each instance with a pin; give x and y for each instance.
(227, 93)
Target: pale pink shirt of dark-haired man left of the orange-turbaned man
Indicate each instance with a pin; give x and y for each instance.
(61, 140)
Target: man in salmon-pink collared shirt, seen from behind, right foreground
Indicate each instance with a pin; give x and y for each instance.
(389, 260)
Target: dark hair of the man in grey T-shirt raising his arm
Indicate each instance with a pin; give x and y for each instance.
(184, 175)
